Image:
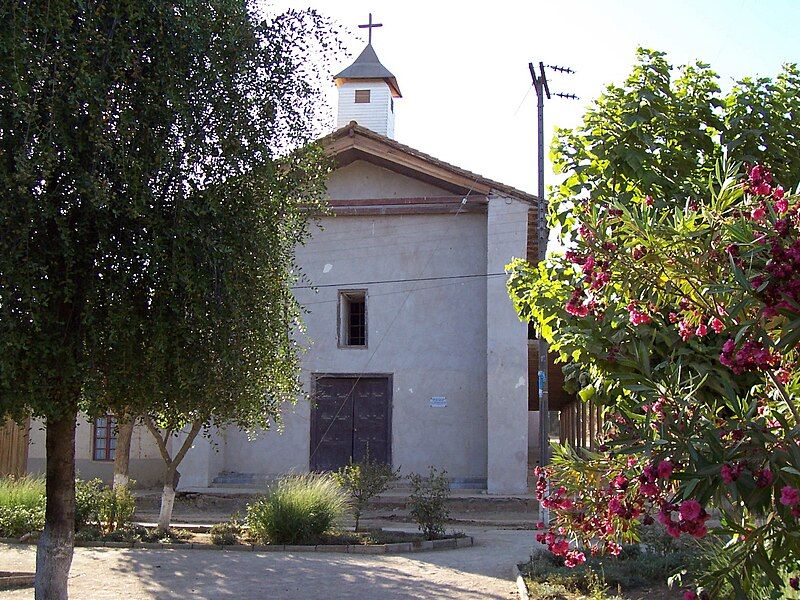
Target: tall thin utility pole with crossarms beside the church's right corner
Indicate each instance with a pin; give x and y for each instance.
(543, 233)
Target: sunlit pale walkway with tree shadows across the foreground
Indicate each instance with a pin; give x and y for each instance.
(483, 571)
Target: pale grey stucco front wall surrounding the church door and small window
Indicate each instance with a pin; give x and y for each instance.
(430, 336)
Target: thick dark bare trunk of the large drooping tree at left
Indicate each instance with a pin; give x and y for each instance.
(55, 547)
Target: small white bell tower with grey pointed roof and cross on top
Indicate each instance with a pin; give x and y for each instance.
(367, 91)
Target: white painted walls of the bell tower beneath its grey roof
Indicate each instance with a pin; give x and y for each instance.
(377, 115)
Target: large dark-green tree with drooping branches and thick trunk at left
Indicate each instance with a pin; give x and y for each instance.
(146, 226)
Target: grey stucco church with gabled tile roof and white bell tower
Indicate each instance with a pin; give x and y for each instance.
(414, 351)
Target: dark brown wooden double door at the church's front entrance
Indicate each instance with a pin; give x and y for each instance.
(350, 417)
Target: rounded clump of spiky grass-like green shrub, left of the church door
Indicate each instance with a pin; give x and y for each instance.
(299, 509)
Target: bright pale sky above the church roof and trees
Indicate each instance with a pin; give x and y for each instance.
(463, 66)
